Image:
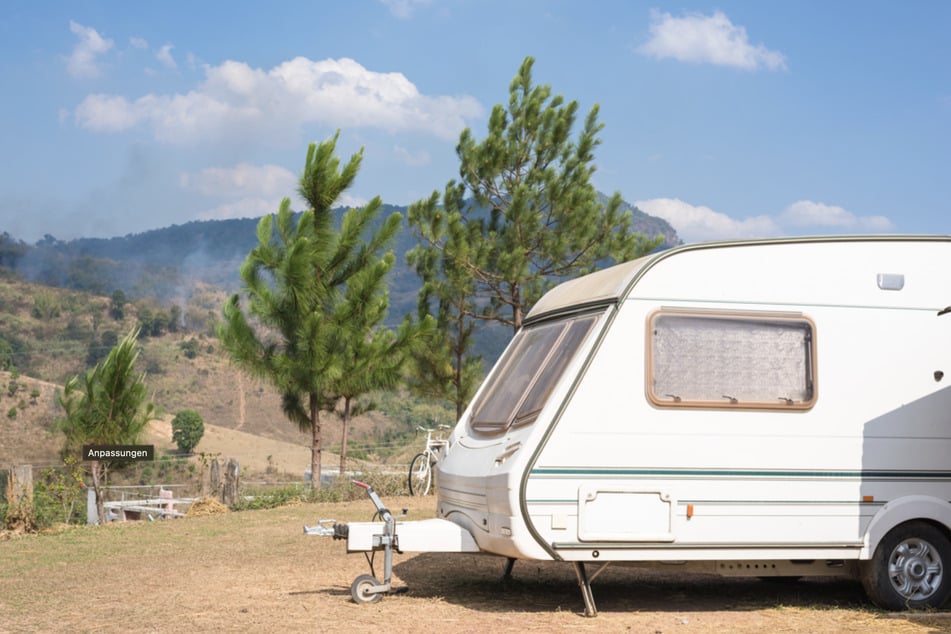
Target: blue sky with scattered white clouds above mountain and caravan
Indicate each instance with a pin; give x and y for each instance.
(730, 120)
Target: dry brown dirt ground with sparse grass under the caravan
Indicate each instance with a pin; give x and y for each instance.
(257, 571)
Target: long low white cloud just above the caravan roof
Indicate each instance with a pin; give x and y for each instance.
(699, 223)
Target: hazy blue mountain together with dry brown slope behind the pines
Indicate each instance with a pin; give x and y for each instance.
(58, 318)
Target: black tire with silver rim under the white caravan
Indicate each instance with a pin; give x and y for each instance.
(910, 570)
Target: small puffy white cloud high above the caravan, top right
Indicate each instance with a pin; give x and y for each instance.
(705, 39)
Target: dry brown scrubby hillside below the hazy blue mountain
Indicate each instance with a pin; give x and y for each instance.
(48, 335)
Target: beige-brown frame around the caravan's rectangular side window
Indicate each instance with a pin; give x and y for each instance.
(765, 317)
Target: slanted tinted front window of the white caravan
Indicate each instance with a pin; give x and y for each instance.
(528, 372)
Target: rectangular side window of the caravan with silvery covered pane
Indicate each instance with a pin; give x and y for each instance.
(731, 360)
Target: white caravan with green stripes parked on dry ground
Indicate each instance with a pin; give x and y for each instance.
(764, 408)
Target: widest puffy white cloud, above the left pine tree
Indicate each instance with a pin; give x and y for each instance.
(235, 96)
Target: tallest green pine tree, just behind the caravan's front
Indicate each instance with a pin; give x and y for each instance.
(524, 217)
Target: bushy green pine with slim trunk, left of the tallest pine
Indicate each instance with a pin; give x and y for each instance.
(314, 298)
